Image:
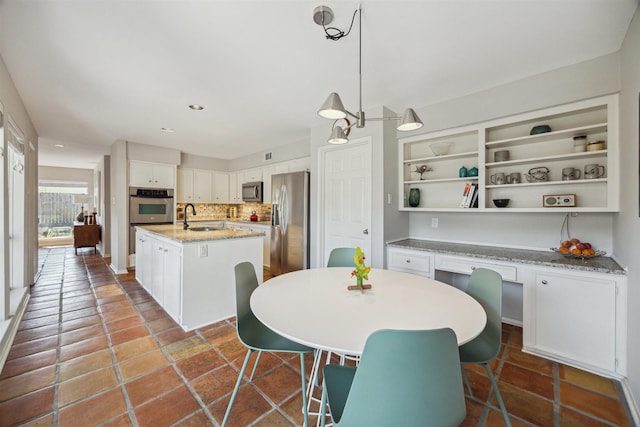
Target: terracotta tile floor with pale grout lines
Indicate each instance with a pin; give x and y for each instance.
(96, 349)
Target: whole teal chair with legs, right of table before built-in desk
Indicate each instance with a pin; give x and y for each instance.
(485, 286)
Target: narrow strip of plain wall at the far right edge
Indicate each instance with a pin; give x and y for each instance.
(626, 225)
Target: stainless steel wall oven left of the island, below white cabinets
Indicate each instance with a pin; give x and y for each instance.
(148, 206)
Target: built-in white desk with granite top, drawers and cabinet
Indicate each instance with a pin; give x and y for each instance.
(571, 310)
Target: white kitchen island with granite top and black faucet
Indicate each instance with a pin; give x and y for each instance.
(190, 273)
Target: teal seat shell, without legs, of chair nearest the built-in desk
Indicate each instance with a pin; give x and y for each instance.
(485, 286)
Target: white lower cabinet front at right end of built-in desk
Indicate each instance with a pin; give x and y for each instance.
(576, 317)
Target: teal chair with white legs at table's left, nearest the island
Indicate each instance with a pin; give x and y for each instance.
(256, 336)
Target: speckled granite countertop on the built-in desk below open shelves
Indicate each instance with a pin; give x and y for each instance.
(601, 264)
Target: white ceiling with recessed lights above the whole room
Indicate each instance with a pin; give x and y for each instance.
(92, 72)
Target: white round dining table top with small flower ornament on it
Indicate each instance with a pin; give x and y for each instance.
(315, 308)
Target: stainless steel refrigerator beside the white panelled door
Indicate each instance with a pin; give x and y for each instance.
(289, 222)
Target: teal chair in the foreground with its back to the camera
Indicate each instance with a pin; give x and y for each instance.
(405, 378)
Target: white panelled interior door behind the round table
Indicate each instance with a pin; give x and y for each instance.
(345, 196)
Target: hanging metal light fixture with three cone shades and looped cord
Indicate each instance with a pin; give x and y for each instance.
(333, 108)
